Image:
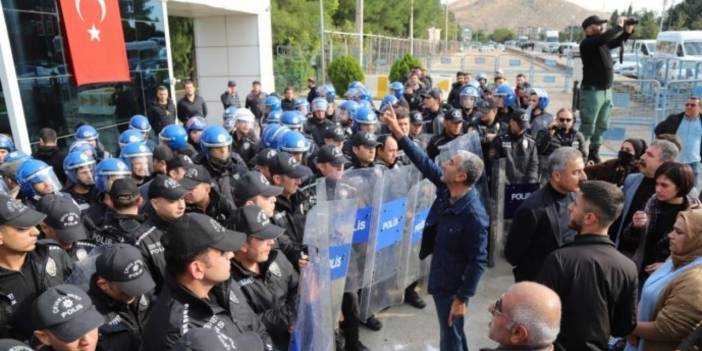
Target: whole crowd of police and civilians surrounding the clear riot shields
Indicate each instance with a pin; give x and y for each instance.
(191, 237)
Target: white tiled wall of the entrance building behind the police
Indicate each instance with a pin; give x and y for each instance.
(233, 46)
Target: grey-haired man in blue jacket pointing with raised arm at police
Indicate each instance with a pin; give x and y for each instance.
(455, 232)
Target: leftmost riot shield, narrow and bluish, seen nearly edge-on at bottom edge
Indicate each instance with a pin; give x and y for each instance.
(314, 327)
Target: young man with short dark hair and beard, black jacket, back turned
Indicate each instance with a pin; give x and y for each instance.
(597, 284)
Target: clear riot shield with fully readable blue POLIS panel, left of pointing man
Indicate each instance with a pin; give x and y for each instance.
(384, 261)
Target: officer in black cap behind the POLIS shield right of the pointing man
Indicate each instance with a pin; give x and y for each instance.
(519, 149)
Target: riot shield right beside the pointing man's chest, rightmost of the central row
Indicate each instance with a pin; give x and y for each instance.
(421, 197)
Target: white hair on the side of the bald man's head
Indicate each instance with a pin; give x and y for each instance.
(541, 332)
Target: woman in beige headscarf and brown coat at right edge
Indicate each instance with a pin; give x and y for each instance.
(671, 299)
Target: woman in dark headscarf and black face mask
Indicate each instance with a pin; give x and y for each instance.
(617, 169)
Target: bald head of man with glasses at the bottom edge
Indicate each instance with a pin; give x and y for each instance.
(526, 317)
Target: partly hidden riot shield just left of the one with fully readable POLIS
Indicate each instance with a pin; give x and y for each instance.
(363, 186)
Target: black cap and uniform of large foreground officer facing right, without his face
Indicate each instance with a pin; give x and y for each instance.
(177, 310)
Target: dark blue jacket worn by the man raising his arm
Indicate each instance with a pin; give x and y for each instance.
(455, 233)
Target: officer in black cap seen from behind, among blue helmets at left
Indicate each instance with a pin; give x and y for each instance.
(122, 223)
